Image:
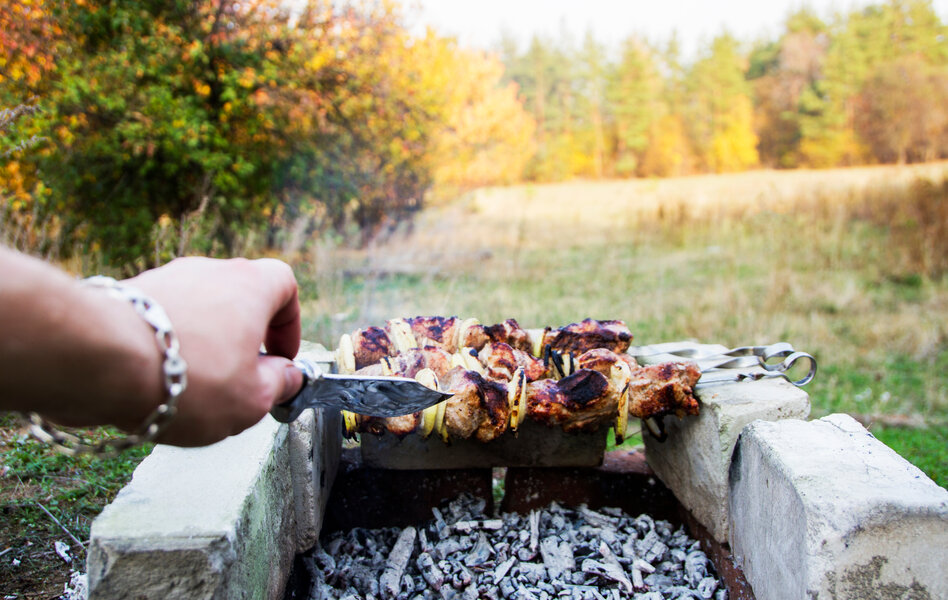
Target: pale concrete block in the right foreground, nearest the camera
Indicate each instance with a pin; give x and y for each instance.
(822, 509)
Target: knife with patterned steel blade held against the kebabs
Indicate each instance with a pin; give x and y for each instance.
(365, 395)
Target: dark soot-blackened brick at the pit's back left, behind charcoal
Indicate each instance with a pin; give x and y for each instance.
(368, 497)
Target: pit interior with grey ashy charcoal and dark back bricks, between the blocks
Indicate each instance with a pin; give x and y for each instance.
(562, 532)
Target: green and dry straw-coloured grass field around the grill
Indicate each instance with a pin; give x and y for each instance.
(846, 264)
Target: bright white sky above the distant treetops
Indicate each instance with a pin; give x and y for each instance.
(478, 23)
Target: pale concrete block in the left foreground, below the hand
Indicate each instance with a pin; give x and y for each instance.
(200, 523)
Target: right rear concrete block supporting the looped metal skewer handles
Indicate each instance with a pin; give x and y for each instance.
(694, 461)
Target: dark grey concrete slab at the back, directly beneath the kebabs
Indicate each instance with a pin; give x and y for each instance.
(534, 445)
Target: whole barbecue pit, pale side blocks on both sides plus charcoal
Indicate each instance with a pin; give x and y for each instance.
(230, 520)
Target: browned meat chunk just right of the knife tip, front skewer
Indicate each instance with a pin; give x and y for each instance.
(479, 406)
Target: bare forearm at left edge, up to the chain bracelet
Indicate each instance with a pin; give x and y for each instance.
(71, 352)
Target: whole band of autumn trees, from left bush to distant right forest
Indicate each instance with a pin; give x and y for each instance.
(143, 129)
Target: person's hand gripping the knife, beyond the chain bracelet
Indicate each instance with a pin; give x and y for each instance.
(222, 311)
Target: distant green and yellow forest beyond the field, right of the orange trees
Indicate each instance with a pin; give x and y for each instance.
(869, 86)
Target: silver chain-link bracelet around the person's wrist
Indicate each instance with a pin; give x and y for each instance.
(174, 367)
